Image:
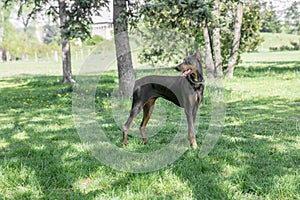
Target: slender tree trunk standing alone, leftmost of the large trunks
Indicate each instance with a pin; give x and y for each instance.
(65, 42)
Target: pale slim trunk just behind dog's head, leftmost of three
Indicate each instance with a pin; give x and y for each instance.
(209, 62)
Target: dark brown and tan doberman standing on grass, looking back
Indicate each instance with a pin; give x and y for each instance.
(185, 91)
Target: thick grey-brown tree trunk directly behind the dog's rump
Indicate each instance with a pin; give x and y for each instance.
(124, 60)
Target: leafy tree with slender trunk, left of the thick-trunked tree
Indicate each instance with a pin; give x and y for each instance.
(74, 16)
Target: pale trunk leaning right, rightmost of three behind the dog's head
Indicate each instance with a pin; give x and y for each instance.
(236, 41)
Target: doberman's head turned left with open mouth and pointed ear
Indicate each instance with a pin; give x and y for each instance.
(191, 67)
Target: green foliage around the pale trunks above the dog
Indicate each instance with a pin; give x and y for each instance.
(187, 17)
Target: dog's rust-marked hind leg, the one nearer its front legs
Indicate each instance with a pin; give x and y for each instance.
(147, 109)
